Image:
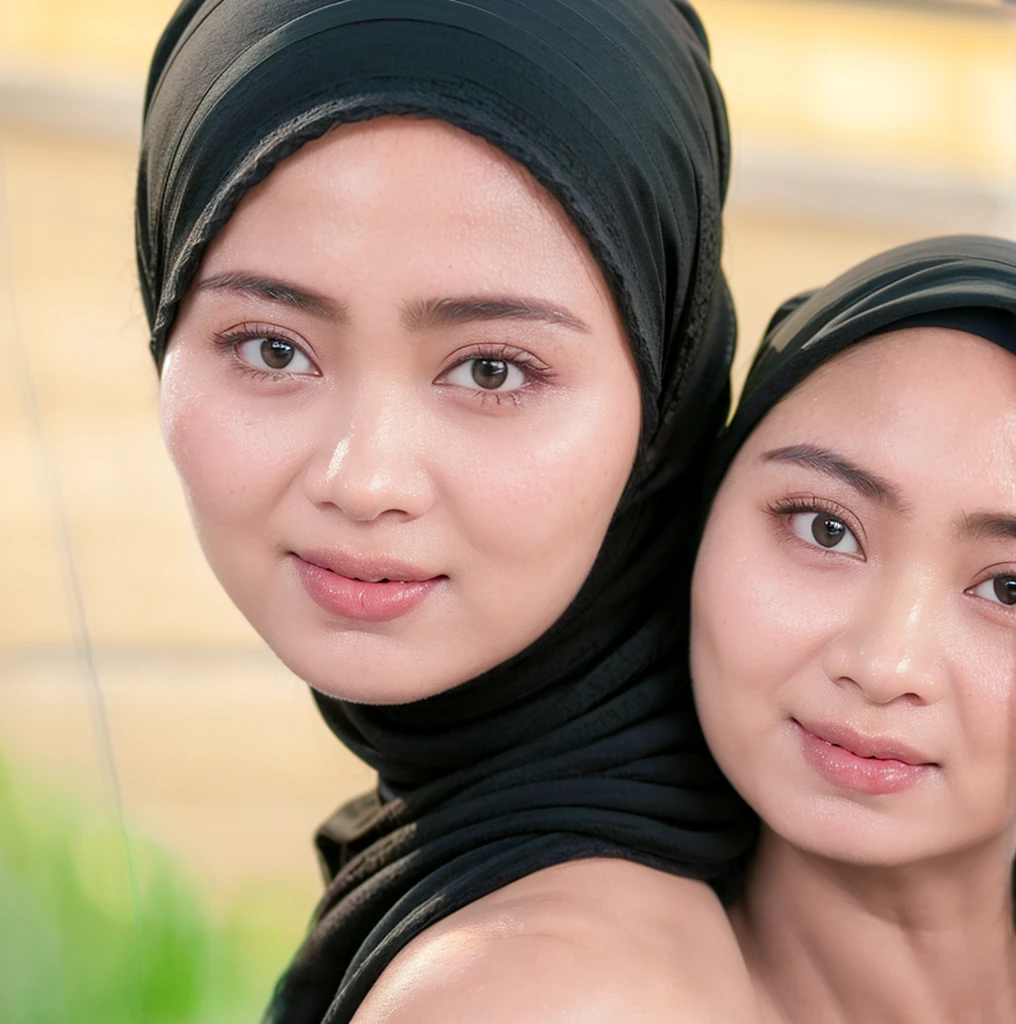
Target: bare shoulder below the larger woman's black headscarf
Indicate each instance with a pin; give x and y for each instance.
(590, 942)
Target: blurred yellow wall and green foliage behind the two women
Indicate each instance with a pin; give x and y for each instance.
(139, 712)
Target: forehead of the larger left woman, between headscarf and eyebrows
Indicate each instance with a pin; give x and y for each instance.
(453, 200)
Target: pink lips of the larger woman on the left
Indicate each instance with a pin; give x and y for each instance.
(364, 589)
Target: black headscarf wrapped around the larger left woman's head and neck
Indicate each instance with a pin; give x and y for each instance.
(586, 744)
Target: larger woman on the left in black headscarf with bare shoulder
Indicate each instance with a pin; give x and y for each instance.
(436, 294)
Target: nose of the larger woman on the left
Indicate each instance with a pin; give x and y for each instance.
(369, 462)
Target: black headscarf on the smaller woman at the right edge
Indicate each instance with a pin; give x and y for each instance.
(967, 283)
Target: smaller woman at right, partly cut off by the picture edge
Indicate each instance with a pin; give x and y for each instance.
(854, 643)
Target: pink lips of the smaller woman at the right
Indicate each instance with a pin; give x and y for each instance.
(868, 764)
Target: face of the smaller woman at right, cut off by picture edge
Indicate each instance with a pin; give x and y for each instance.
(854, 642)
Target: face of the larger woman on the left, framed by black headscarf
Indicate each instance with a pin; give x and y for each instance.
(403, 407)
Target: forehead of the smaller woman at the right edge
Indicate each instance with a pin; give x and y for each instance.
(932, 409)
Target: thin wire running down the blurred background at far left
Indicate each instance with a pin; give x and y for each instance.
(72, 580)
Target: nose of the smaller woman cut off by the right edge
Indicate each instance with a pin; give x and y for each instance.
(894, 647)
